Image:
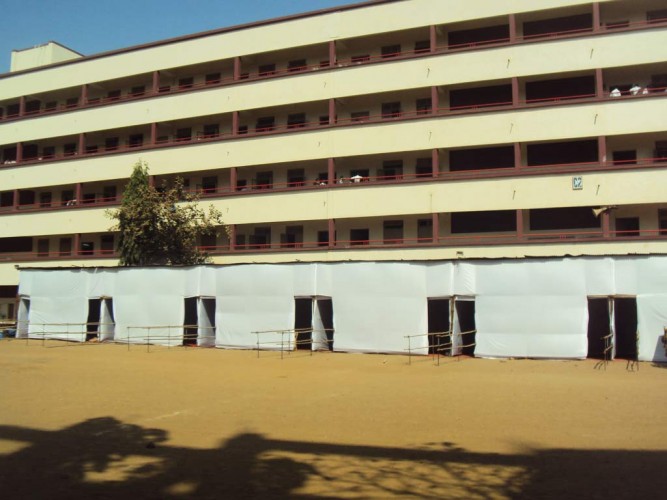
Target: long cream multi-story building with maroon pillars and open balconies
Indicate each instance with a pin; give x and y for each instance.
(389, 130)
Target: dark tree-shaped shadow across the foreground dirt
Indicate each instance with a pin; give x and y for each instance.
(105, 458)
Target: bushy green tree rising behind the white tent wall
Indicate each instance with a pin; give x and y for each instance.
(161, 226)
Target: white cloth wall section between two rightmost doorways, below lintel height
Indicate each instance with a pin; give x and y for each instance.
(531, 326)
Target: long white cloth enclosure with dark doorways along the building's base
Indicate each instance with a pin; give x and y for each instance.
(497, 308)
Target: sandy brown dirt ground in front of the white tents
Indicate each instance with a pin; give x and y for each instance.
(102, 421)
